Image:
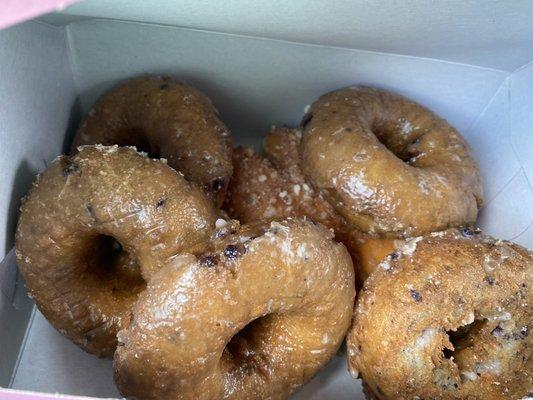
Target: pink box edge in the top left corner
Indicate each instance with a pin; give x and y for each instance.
(15, 11)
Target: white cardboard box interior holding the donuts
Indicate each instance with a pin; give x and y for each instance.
(261, 62)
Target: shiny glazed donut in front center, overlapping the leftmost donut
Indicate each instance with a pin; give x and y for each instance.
(253, 318)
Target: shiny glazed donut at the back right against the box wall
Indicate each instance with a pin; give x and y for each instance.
(389, 165)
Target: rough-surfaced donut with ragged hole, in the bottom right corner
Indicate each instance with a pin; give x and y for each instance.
(447, 318)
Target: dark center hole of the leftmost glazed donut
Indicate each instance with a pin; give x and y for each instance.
(111, 266)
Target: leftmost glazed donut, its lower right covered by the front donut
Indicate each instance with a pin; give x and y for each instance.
(79, 214)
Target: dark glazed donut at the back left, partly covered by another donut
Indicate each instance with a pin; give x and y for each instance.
(165, 118)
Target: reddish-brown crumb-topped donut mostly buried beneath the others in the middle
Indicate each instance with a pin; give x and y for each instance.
(274, 186)
